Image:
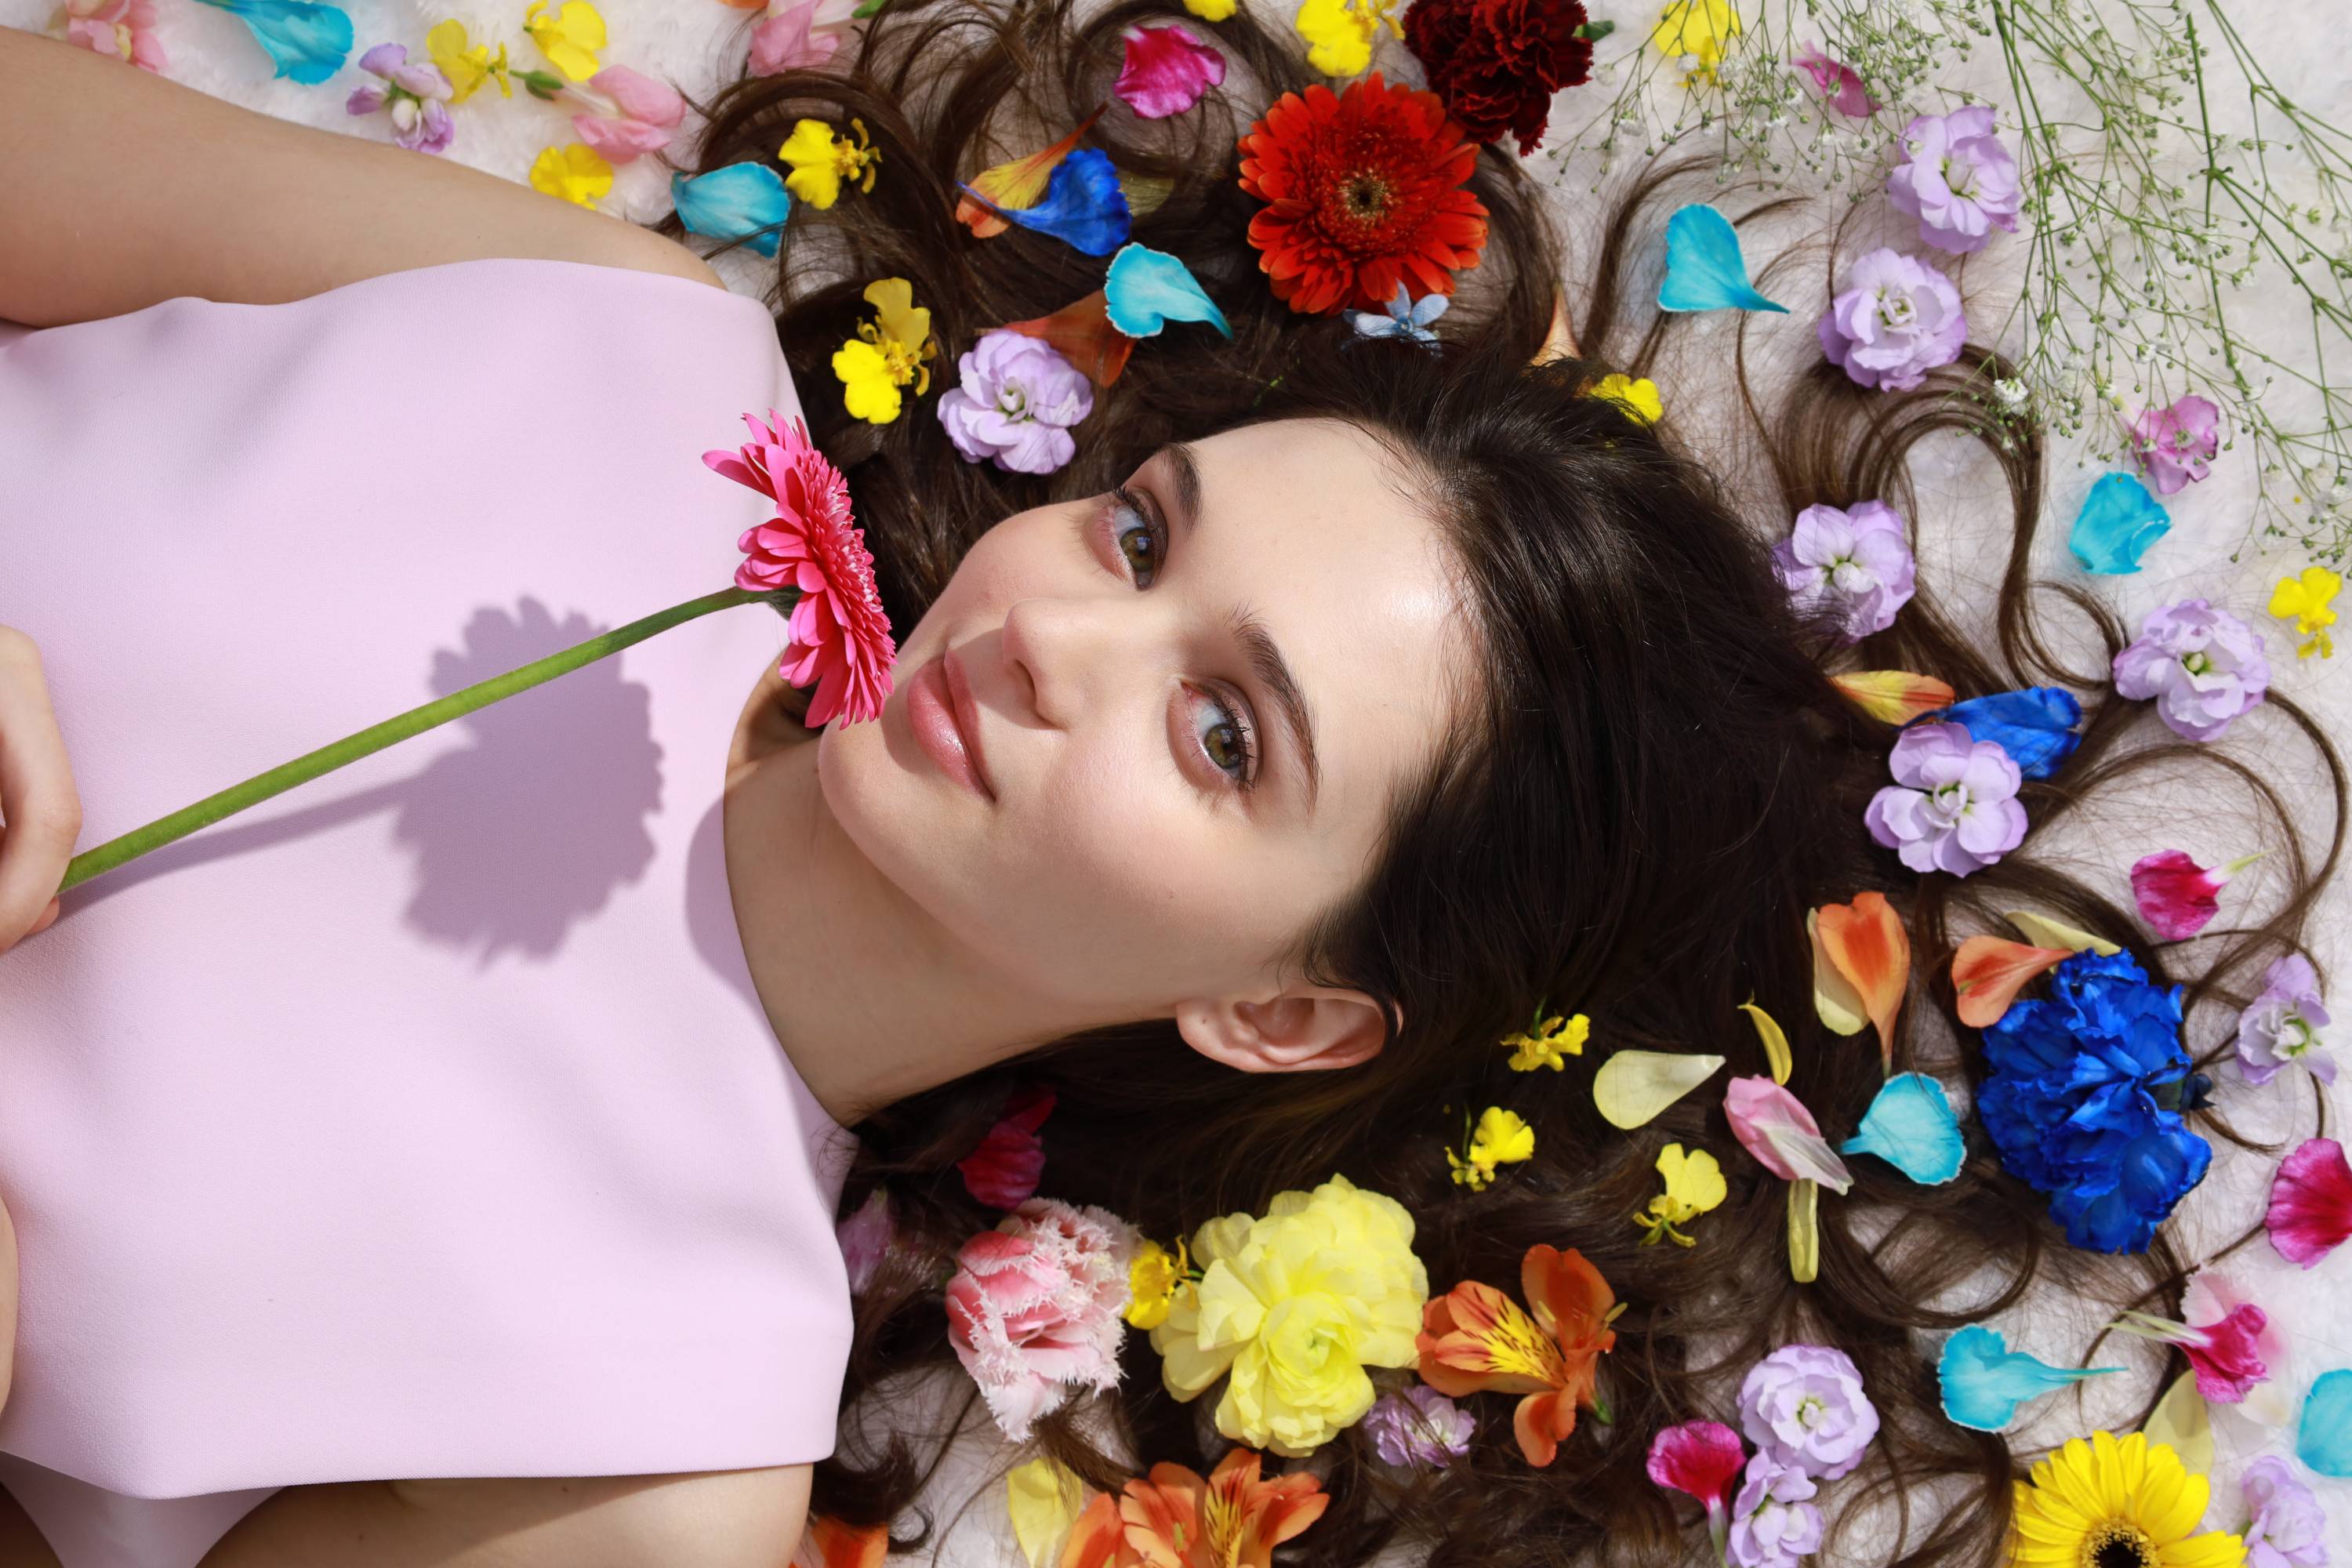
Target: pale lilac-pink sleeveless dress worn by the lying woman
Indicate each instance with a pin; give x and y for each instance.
(420, 1123)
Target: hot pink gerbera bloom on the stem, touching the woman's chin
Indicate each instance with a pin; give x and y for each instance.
(841, 634)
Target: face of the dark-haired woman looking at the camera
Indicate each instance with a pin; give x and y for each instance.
(1144, 742)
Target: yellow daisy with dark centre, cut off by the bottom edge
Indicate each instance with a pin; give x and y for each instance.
(2118, 1503)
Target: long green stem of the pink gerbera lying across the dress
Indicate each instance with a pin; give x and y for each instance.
(413, 723)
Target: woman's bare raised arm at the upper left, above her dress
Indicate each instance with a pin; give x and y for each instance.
(121, 189)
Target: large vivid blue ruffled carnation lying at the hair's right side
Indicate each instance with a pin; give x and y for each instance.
(2083, 1101)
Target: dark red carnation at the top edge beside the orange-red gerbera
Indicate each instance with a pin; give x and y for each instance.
(1499, 62)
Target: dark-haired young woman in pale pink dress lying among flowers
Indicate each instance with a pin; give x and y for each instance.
(469, 1174)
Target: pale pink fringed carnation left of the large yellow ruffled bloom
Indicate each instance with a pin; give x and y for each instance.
(1034, 1308)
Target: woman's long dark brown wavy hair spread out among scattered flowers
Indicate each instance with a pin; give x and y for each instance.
(1633, 819)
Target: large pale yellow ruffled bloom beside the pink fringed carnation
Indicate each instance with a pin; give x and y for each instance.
(1290, 1311)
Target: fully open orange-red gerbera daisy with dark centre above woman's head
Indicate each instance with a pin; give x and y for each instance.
(1365, 194)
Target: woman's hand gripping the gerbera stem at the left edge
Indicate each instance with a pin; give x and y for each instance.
(41, 815)
